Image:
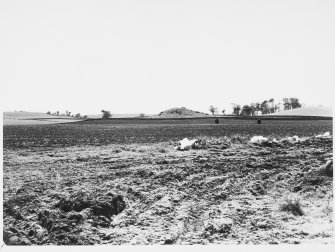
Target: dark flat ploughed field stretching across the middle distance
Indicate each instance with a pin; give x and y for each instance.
(129, 131)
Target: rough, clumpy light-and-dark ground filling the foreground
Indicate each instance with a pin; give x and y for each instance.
(226, 192)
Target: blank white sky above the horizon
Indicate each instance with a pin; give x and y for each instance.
(150, 55)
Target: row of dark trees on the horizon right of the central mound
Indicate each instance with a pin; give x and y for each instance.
(264, 107)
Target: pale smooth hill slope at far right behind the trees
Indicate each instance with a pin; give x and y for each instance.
(306, 111)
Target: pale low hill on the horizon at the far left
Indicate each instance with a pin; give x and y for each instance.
(25, 118)
